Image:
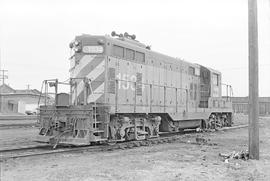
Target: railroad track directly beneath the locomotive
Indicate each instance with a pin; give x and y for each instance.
(47, 149)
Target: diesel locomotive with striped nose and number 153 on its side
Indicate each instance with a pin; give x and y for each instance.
(120, 90)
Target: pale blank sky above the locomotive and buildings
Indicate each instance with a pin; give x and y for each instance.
(34, 35)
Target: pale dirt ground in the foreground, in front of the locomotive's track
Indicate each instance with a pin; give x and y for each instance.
(167, 161)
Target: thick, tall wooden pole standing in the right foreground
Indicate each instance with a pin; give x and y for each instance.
(253, 118)
